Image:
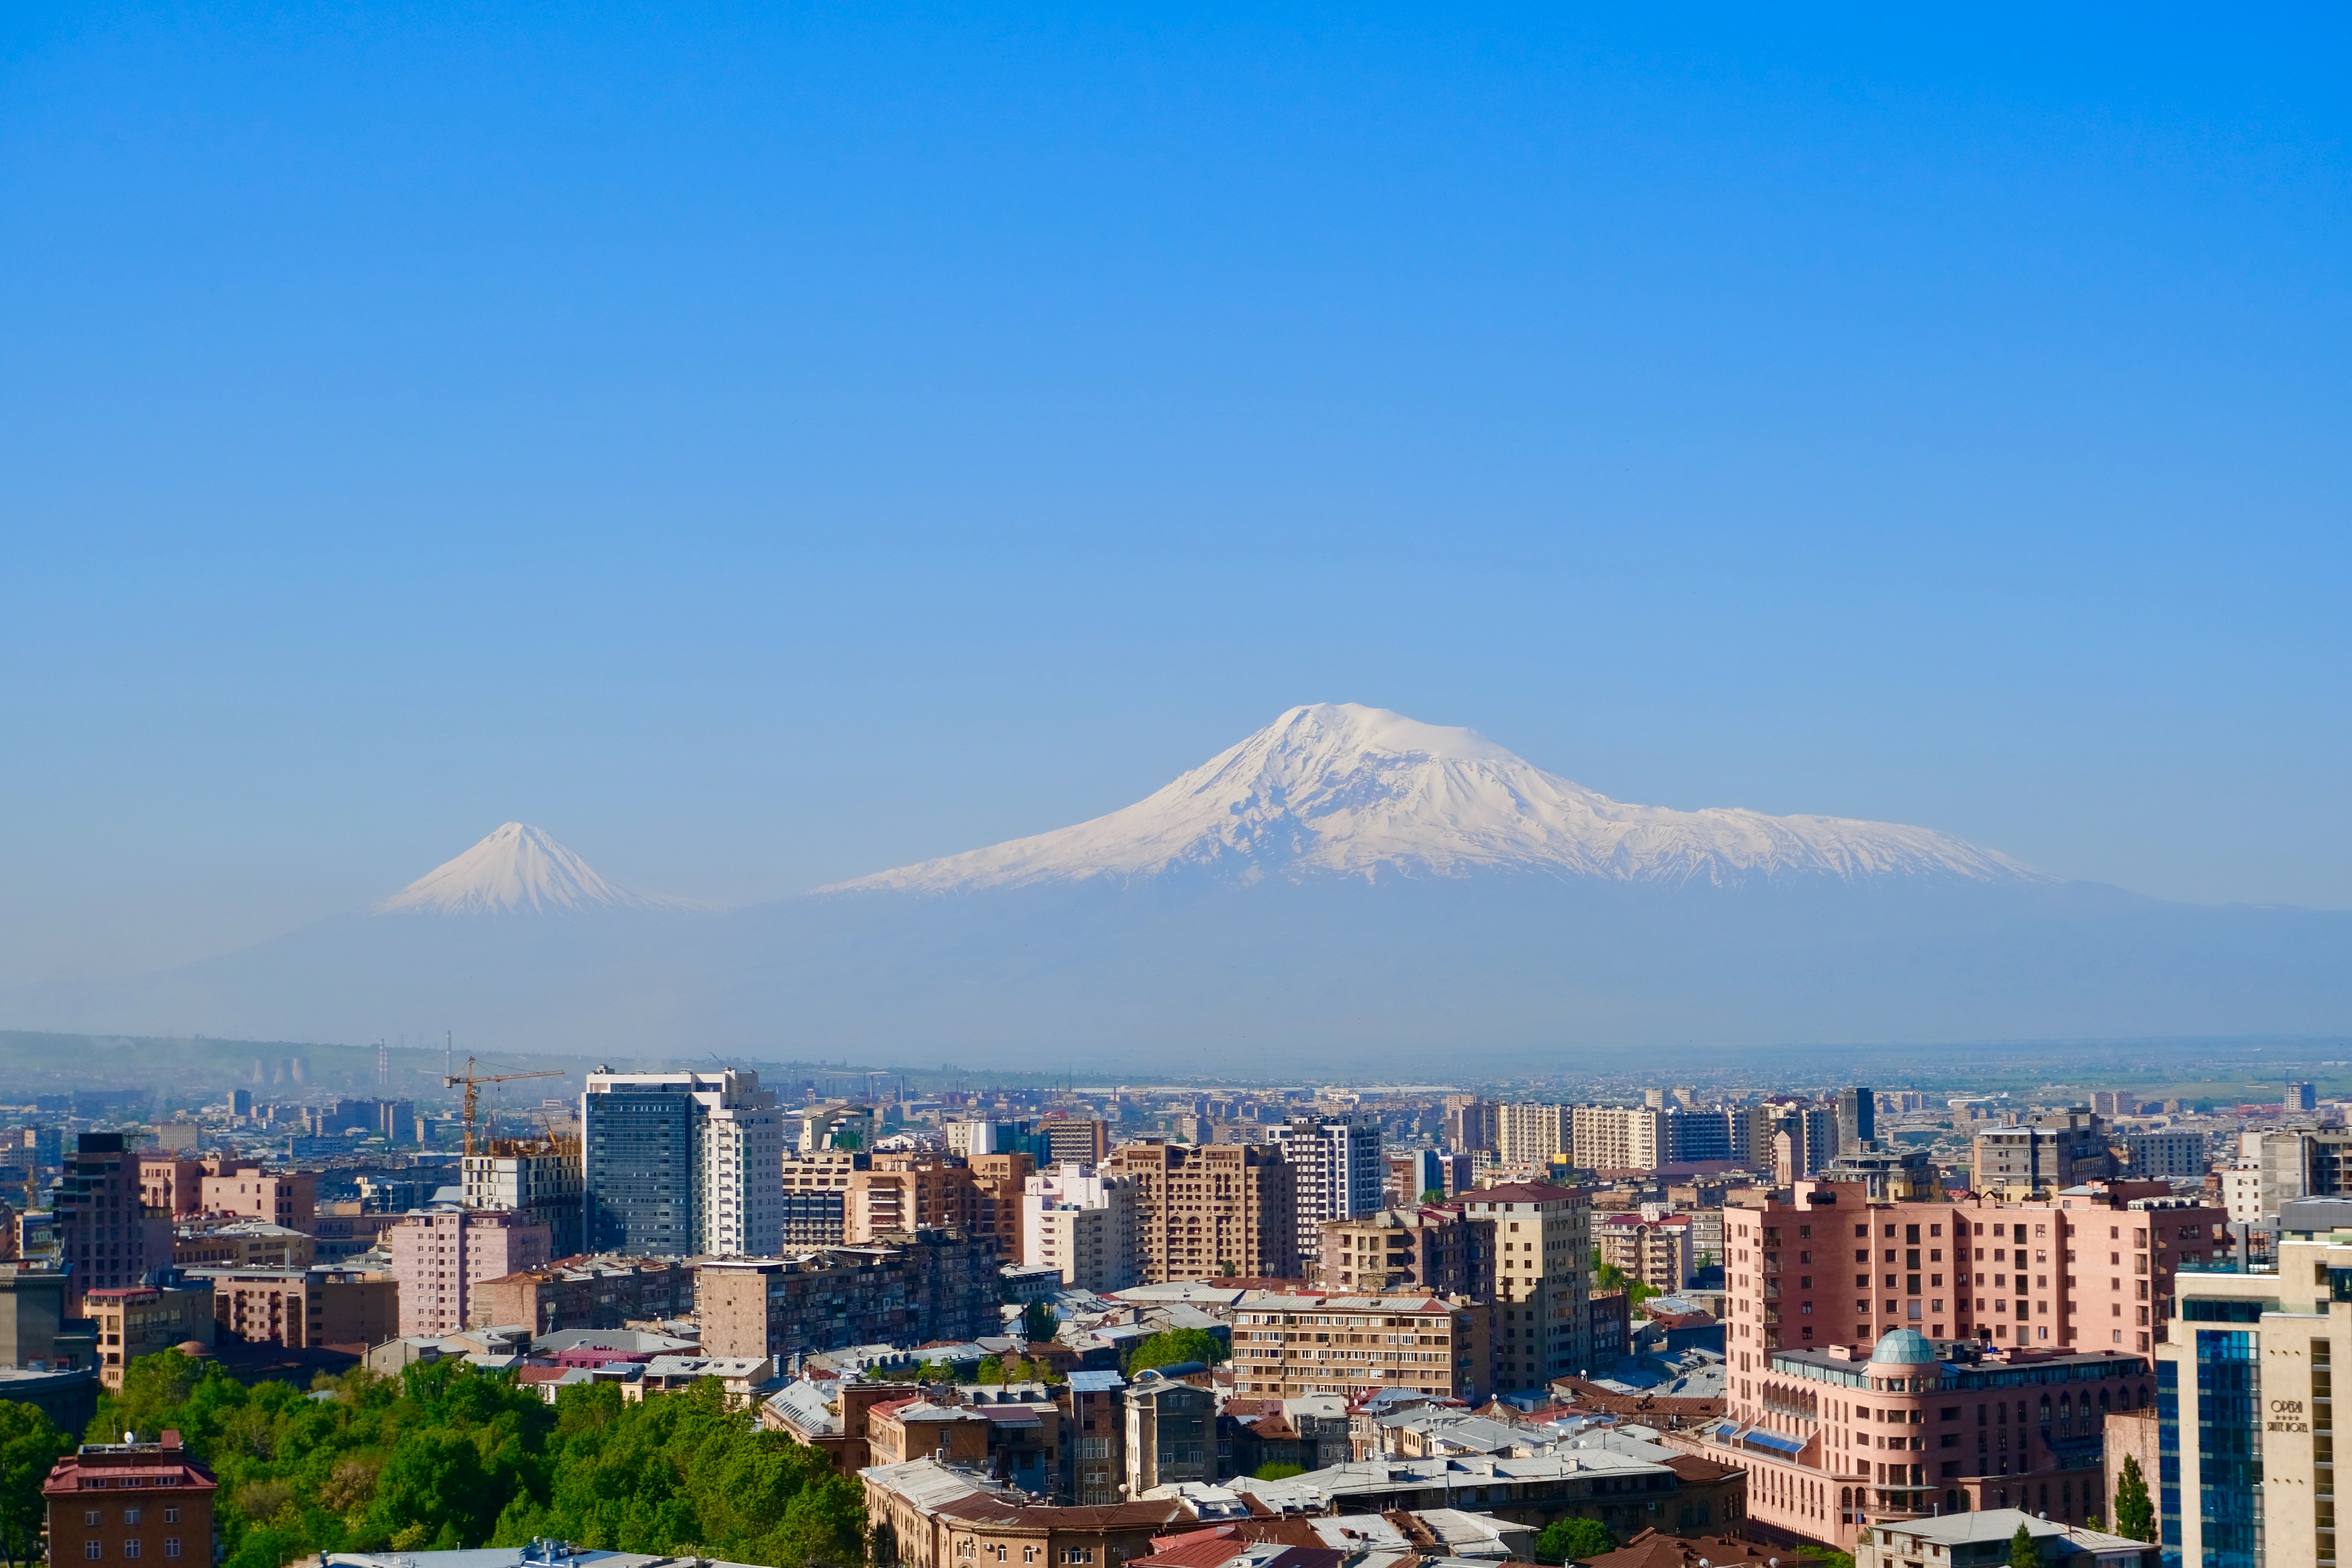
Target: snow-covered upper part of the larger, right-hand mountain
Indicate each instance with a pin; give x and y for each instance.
(1347, 791)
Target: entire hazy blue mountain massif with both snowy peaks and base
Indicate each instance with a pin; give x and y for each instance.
(1347, 890)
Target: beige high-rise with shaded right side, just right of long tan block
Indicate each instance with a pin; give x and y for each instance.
(1542, 1282)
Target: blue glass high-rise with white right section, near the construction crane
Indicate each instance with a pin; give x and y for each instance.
(683, 1165)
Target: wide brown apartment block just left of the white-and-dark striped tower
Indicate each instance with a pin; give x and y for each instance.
(1212, 1212)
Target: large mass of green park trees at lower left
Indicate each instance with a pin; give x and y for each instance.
(448, 1456)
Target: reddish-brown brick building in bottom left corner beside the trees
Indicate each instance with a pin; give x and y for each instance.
(114, 1503)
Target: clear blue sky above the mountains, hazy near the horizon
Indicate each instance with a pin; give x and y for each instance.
(768, 445)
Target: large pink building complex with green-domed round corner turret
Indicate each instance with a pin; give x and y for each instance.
(1923, 1358)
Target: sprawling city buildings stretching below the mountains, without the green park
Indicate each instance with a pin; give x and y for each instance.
(1800, 1315)
